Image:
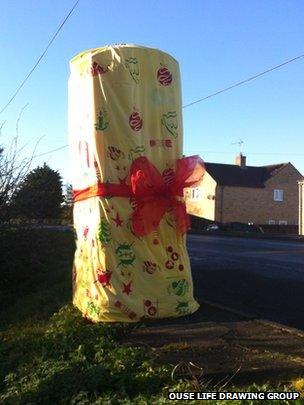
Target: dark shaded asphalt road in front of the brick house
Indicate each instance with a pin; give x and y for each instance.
(261, 277)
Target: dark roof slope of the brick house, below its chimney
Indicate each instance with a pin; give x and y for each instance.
(247, 176)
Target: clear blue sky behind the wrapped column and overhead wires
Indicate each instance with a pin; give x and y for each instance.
(217, 43)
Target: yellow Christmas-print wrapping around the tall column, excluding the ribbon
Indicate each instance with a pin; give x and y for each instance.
(125, 102)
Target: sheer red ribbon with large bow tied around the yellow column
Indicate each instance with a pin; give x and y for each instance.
(153, 197)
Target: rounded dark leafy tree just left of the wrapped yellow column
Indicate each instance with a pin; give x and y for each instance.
(40, 194)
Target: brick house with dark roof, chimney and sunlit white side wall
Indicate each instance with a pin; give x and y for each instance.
(241, 193)
